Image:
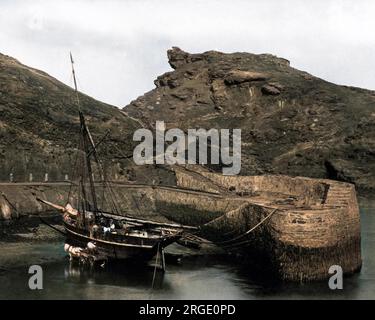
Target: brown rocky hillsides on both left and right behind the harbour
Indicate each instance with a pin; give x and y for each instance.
(292, 122)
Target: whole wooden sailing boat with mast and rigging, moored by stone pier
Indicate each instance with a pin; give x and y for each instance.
(113, 235)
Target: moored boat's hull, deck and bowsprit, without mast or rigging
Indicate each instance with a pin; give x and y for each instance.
(117, 237)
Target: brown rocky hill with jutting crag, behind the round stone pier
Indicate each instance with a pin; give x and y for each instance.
(292, 122)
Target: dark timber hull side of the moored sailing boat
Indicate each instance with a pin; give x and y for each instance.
(129, 247)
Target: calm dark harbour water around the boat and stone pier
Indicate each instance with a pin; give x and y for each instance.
(196, 278)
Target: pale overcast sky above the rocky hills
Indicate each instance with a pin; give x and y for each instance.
(120, 46)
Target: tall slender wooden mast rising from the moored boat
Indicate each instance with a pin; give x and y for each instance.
(86, 141)
